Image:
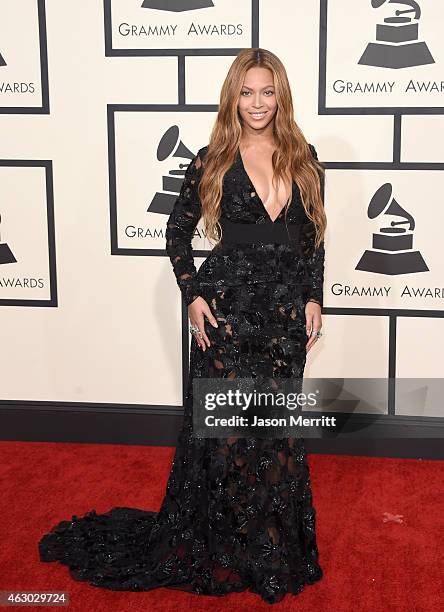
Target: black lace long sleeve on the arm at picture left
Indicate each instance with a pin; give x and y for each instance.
(180, 230)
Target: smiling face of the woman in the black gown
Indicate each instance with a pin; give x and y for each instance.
(257, 103)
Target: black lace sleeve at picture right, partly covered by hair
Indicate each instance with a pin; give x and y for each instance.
(314, 257)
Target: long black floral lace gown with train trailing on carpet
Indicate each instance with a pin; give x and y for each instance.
(238, 513)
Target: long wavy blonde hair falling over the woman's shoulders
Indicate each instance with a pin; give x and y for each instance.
(292, 156)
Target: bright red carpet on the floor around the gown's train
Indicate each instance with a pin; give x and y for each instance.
(369, 564)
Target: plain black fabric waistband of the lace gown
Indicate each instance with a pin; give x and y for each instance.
(259, 232)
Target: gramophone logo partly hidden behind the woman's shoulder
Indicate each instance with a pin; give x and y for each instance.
(170, 146)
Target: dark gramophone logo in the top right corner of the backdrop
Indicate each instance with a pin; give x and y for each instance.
(397, 43)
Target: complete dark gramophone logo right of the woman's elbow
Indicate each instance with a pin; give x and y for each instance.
(392, 251)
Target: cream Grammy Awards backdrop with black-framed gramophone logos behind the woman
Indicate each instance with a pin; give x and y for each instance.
(103, 103)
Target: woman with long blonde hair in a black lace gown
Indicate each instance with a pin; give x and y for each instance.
(238, 512)
